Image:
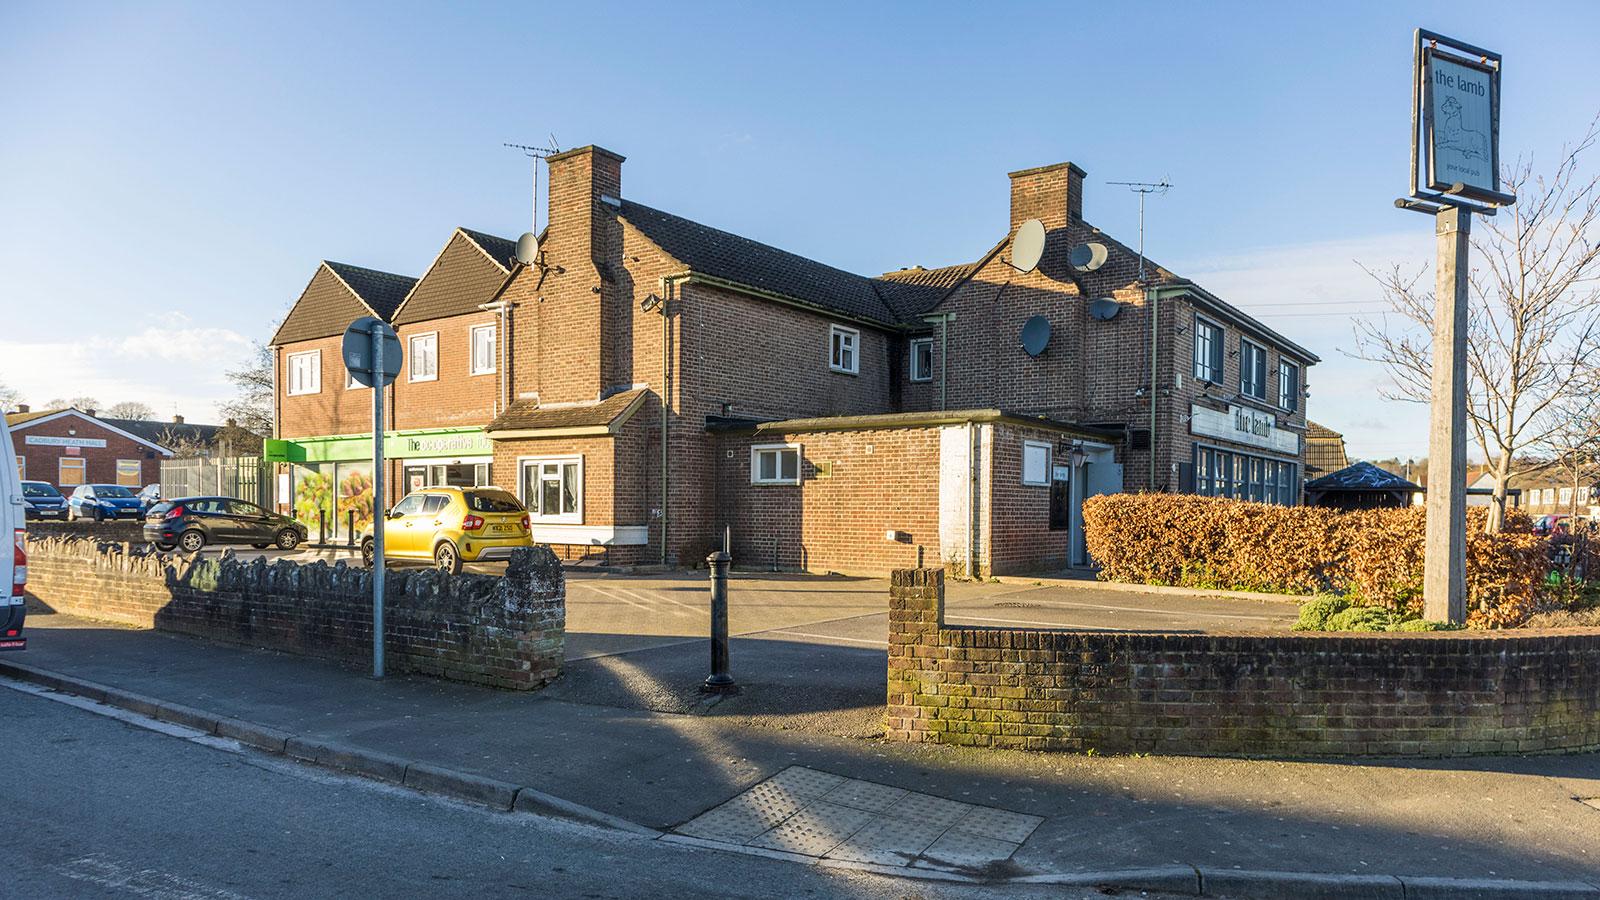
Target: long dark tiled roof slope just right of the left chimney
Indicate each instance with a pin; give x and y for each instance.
(750, 263)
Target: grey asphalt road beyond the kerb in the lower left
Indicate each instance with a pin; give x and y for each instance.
(100, 808)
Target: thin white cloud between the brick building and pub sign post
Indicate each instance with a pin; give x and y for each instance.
(1313, 294)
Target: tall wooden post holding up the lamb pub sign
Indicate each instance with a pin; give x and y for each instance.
(1446, 561)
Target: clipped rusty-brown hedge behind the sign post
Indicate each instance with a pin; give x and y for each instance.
(1374, 558)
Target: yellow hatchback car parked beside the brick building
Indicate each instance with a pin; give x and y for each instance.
(449, 526)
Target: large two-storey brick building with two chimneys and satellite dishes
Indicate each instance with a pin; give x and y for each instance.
(652, 382)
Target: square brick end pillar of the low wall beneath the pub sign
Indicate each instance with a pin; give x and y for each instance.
(916, 616)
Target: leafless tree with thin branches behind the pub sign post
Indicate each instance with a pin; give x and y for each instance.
(1534, 334)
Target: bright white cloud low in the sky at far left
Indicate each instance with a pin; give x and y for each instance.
(164, 361)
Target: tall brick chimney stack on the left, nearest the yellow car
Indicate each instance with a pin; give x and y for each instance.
(585, 300)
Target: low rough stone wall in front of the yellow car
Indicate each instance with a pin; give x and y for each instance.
(478, 629)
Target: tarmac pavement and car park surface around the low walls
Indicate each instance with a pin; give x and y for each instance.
(626, 737)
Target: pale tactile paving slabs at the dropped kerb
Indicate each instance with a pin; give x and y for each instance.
(818, 814)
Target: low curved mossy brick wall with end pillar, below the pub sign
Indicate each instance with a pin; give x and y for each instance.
(1442, 694)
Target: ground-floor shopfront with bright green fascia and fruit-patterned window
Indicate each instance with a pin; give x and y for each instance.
(327, 481)
